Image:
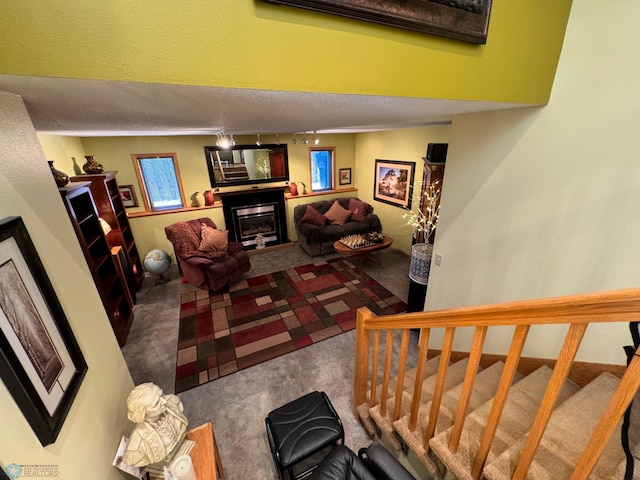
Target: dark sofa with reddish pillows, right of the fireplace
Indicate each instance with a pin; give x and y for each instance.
(320, 224)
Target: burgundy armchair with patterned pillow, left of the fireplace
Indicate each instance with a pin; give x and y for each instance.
(205, 256)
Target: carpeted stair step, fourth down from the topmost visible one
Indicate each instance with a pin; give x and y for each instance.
(455, 375)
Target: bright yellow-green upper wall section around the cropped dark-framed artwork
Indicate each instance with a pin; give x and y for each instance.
(251, 44)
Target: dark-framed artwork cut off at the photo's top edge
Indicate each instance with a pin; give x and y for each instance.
(466, 20)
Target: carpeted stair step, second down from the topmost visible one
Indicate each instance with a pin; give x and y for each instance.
(517, 416)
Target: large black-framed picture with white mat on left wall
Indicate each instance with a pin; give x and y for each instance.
(40, 361)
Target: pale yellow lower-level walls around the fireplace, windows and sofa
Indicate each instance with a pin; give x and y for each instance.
(355, 151)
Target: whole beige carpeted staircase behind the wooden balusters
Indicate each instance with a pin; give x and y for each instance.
(576, 413)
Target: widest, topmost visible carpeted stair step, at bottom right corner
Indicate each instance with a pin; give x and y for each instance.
(566, 436)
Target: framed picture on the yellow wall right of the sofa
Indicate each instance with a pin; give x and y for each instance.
(393, 181)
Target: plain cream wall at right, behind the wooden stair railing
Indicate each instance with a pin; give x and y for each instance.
(544, 201)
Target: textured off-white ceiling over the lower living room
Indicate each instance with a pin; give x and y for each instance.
(108, 108)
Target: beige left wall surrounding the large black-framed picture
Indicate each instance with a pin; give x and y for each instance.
(97, 420)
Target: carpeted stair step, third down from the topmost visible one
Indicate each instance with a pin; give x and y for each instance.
(484, 388)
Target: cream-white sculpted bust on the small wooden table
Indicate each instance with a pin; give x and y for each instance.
(160, 425)
